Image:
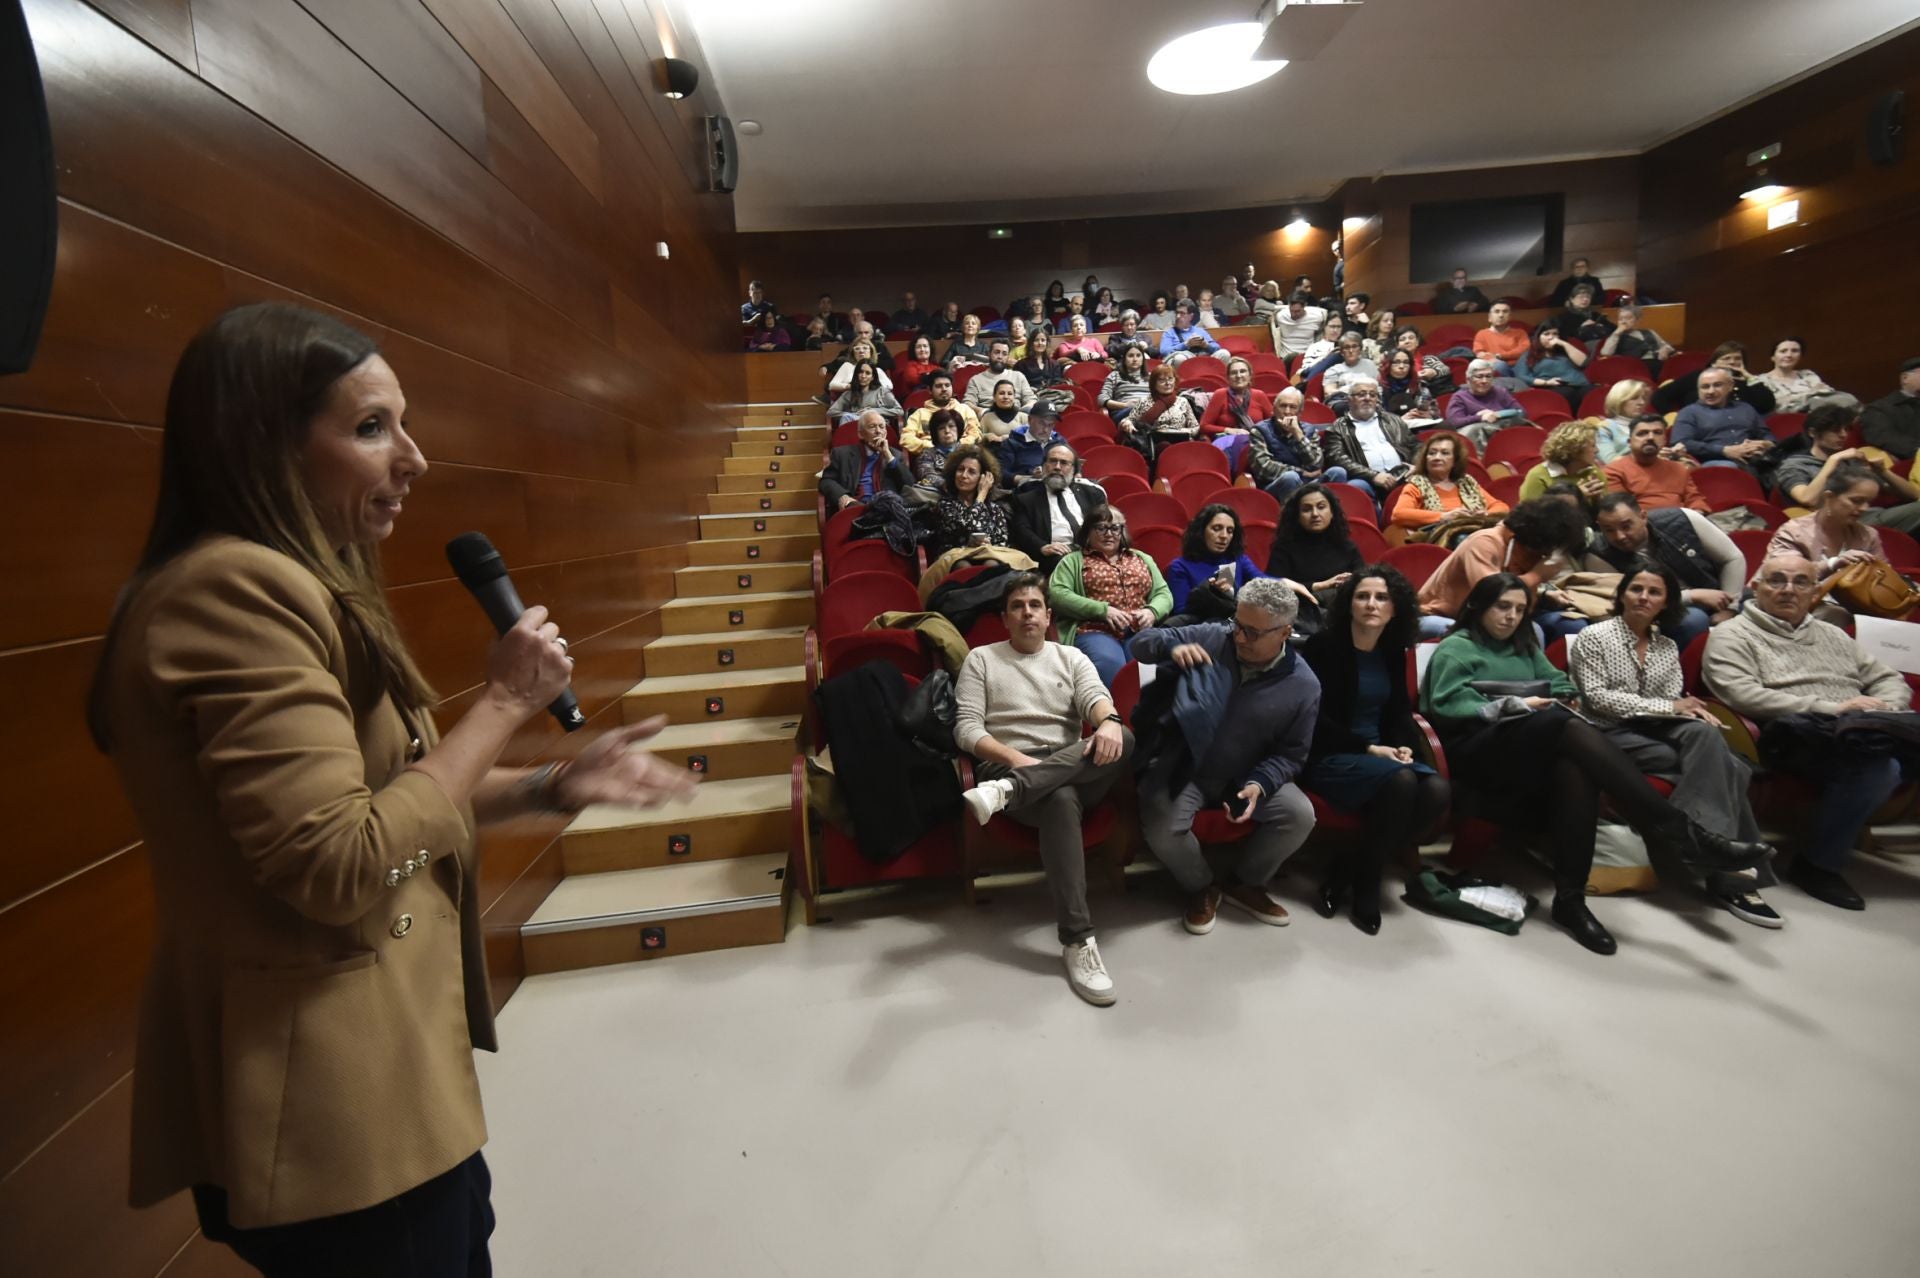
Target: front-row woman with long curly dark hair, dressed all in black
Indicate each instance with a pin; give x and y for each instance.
(1364, 740)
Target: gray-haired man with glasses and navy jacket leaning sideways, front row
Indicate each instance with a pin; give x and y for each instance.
(1234, 734)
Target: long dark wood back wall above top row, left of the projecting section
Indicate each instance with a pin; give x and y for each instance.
(1134, 256)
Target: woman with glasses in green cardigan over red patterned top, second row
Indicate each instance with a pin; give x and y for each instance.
(1107, 592)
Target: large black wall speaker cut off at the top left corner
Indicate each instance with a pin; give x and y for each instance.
(30, 222)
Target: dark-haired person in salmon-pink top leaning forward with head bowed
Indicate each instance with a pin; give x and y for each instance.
(1539, 542)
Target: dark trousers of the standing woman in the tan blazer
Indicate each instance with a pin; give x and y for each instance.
(433, 1231)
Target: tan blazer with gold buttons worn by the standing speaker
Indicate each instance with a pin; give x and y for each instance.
(318, 983)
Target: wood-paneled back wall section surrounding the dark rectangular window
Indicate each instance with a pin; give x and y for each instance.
(1600, 210)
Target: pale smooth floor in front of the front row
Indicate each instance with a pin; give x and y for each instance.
(915, 1093)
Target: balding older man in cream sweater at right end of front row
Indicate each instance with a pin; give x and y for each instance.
(1781, 667)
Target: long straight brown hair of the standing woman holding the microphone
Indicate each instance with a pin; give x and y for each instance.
(239, 415)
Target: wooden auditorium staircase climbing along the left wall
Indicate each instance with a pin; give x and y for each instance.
(729, 673)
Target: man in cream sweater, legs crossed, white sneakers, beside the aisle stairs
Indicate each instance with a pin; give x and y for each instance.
(1019, 711)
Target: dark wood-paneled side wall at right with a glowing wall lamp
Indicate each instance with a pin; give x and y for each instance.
(1844, 275)
